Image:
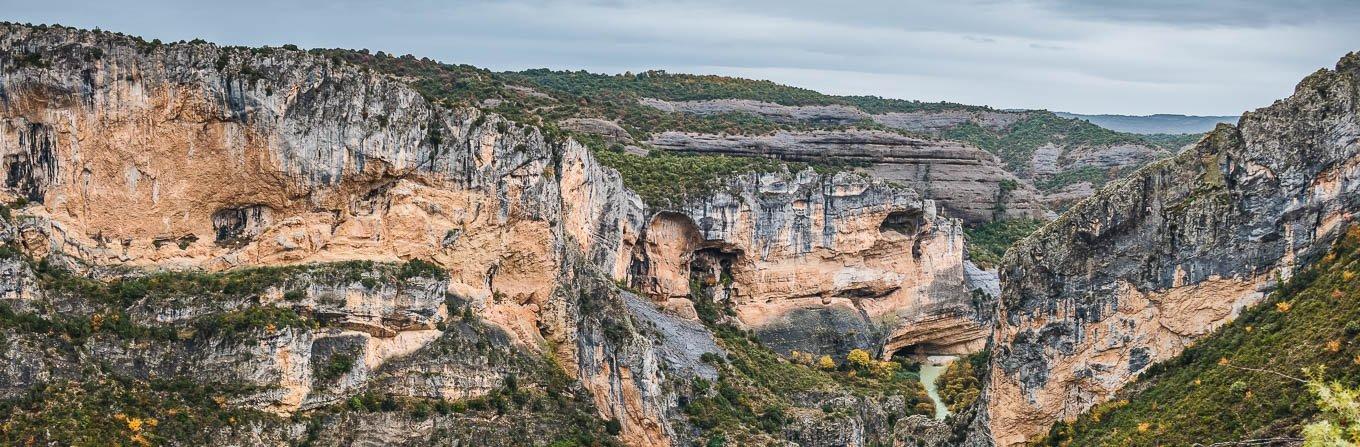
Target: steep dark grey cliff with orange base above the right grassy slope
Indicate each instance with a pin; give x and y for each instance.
(1147, 266)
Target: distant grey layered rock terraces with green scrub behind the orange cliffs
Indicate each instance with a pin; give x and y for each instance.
(1066, 160)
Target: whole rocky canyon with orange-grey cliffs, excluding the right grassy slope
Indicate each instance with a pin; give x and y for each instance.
(284, 247)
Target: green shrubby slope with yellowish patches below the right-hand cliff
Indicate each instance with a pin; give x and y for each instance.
(1212, 392)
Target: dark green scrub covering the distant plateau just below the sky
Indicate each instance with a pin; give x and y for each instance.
(545, 99)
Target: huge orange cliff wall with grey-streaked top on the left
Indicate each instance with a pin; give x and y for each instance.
(199, 157)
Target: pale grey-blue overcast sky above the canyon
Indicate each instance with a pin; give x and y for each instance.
(1083, 56)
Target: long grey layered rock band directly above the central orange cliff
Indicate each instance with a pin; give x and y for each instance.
(968, 183)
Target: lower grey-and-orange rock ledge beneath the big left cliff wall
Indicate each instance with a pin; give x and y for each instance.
(368, 320)
